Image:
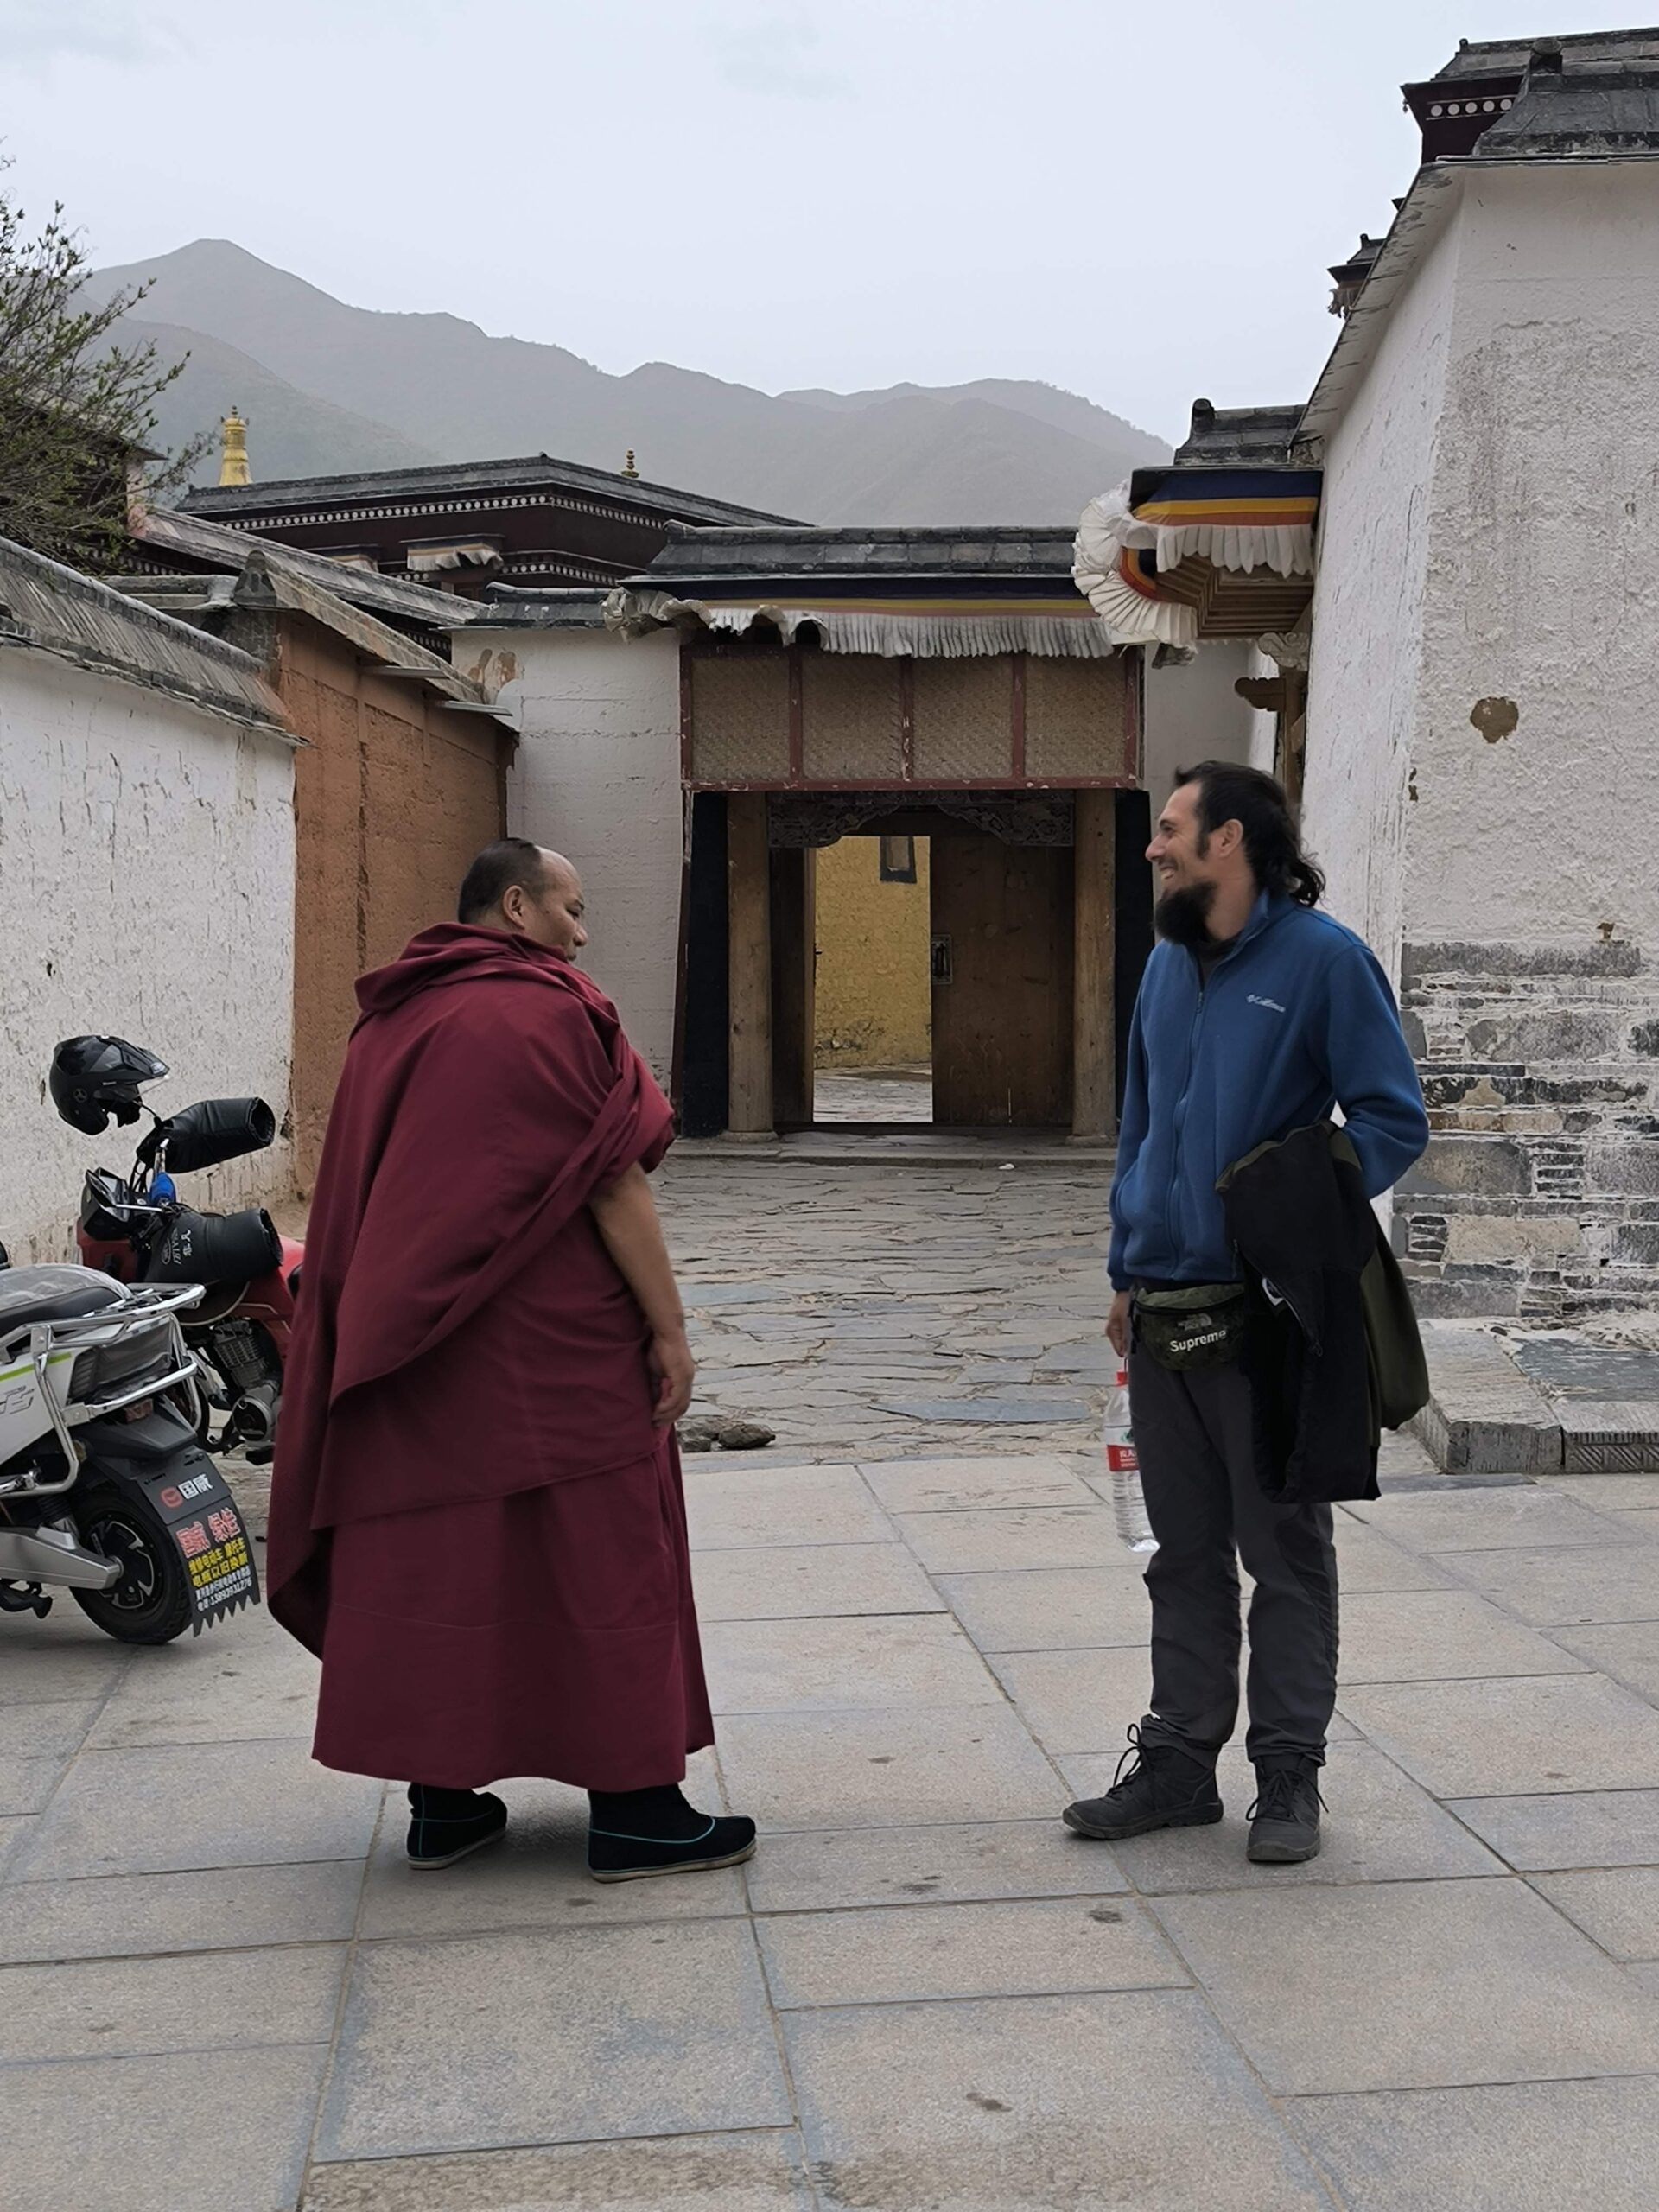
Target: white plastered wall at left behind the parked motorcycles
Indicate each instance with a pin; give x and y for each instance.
(147, 884)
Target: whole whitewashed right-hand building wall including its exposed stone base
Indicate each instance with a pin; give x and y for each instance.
(1483, 731)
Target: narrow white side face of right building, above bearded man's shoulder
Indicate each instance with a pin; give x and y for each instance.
(1377, 519)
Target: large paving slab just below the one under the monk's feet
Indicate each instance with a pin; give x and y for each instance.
(497, 2043)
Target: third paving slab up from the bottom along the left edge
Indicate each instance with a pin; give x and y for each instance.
(209, 1910)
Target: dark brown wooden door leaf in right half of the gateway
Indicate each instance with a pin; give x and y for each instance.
(1001, 921)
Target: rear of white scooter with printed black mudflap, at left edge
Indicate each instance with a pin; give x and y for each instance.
(105, 1488)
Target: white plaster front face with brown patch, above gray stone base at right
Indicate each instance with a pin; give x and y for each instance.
(1543, 567)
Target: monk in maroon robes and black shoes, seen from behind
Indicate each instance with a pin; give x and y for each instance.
(477, 1512)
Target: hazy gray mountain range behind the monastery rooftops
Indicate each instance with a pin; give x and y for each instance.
(435, 386)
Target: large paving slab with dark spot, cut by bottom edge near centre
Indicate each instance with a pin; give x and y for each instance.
(1027, 2105)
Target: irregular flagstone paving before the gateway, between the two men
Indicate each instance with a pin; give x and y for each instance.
(877, 1311)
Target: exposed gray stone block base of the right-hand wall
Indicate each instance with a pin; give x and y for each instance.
(1541, 1189)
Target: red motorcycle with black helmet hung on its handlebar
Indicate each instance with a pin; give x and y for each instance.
(138, 1231)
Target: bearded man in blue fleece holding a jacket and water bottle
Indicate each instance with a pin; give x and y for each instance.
(1255, 1019)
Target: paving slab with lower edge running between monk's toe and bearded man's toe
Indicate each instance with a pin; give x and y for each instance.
(886, 1768)
